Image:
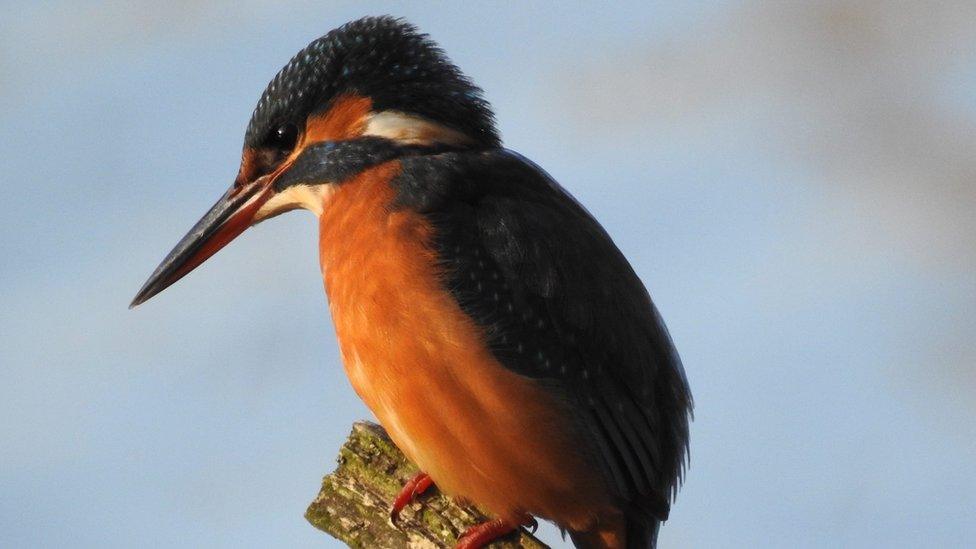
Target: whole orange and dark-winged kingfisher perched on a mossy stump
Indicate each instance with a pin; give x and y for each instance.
(483, 315)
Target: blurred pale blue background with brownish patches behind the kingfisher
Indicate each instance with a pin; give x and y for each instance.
(794, 182)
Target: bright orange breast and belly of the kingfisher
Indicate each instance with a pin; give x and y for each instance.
(482, 432)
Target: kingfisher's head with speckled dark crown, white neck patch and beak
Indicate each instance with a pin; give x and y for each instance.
(365, 93)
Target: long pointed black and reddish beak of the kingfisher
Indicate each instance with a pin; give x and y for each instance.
(229, 217)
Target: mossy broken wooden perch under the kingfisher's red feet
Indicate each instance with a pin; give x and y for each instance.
(354, 503)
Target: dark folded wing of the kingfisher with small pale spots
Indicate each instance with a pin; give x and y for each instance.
(561, 304)
